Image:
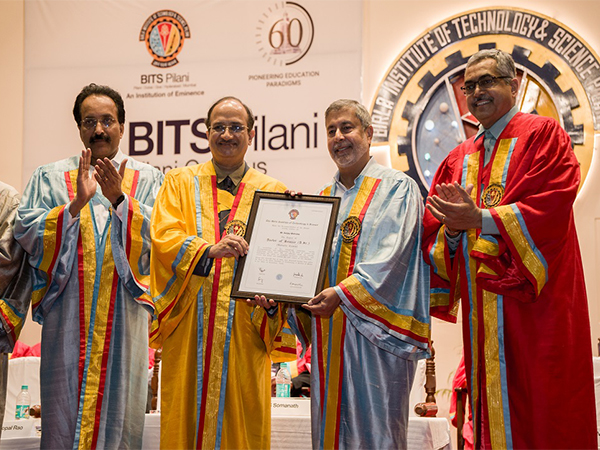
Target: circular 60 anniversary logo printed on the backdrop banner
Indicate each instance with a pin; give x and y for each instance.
(284, 33)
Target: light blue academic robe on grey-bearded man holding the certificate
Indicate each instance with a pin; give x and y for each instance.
(364, 357)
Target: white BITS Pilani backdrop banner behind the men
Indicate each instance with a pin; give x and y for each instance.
(171, 60)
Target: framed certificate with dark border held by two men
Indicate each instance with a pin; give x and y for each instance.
(290, 241)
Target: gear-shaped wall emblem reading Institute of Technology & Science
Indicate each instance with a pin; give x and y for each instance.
(420, 113)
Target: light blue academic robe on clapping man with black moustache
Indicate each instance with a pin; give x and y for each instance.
(90, 295)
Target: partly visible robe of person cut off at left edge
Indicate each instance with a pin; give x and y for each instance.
(15, 285)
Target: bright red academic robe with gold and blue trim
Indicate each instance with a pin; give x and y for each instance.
(524, 308)
